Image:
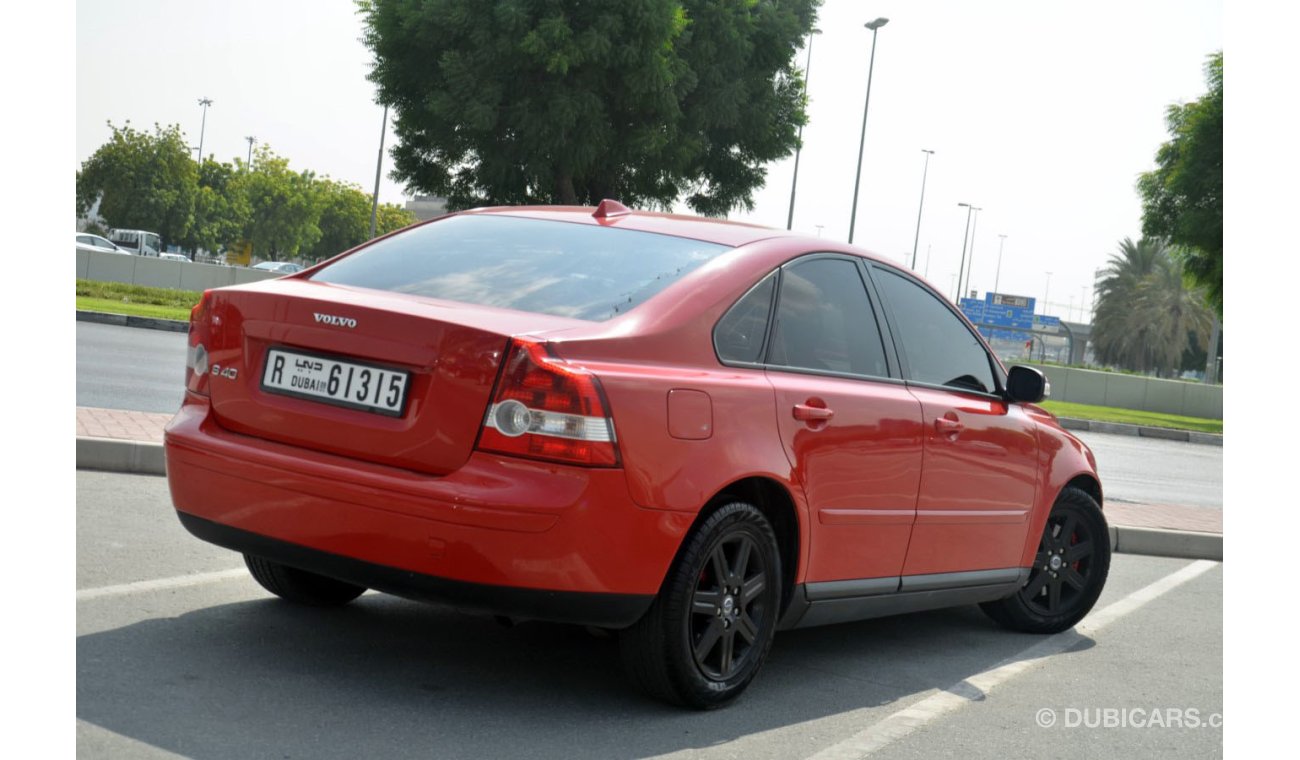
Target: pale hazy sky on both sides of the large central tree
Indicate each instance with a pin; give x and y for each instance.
(1042, 114)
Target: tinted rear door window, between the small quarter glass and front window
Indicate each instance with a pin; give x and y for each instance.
(825, 322)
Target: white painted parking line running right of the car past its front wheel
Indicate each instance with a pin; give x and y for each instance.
(908, 720)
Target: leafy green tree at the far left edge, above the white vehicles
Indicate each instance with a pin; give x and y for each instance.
(145, 181)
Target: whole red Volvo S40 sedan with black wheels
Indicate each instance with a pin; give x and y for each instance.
(692, 432)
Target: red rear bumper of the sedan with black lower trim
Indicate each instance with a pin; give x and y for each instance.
(505, 536)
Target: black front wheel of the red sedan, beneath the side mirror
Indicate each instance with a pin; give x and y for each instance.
(1069, 570)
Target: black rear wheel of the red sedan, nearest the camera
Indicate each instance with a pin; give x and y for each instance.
(709, 631)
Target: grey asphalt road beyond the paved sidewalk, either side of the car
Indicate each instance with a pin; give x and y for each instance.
(131, 368)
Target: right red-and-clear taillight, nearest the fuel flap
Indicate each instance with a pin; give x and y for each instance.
(547, 409)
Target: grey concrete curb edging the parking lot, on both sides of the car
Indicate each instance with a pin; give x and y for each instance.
(140, 458)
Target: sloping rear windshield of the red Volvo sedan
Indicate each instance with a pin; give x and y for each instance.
(531, 266)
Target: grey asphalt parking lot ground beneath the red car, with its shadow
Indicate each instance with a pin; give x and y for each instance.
(180, 654)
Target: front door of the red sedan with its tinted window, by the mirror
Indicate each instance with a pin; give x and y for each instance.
(982, 458)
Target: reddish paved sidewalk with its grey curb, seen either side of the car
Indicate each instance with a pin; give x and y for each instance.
(119, 441)
